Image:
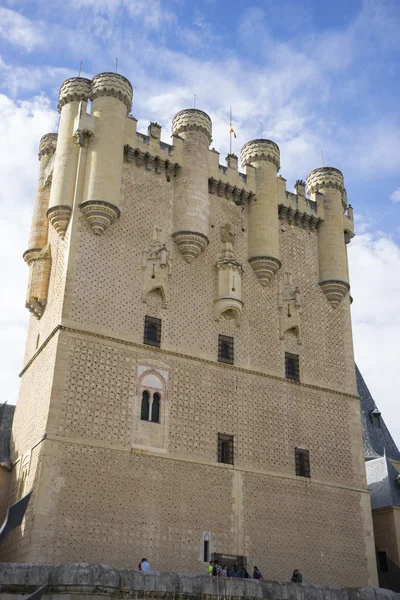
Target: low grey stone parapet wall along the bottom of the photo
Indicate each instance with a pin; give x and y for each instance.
(78, 580)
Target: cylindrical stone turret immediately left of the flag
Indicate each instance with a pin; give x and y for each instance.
(191, 203)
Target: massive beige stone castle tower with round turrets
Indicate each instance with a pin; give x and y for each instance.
(188, 389)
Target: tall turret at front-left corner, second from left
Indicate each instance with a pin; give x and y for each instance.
(71, 93)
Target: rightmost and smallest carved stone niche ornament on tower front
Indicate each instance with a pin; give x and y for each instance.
(289, 306)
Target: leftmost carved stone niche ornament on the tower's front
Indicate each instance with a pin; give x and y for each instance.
(157, 268)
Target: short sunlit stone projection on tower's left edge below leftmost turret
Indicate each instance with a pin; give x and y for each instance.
(39, 277)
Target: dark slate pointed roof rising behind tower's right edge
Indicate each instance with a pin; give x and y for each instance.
(377, 440)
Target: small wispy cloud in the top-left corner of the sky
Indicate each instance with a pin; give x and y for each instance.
(20, 31)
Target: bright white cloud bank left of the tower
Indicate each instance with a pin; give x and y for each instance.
(21, 126)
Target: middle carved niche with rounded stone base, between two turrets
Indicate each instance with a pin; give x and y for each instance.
(229, 280)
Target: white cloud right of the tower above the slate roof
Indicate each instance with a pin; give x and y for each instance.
(374, 261)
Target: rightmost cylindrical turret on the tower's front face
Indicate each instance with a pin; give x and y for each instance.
(333, 273)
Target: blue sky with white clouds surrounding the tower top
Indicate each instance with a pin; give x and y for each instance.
(320, 76)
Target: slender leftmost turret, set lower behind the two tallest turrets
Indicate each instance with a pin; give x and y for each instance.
(40, 224)
